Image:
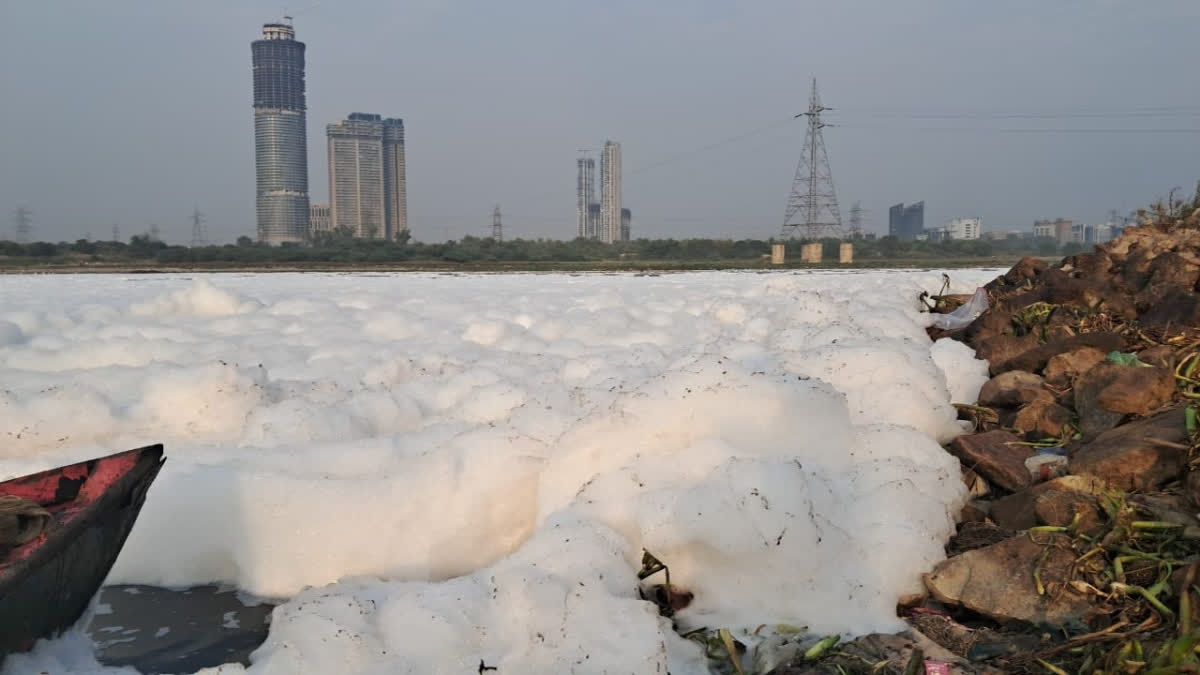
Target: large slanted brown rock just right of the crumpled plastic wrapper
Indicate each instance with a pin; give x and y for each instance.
(1138, 456)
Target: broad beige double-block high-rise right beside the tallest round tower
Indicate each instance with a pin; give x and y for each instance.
(367, 176)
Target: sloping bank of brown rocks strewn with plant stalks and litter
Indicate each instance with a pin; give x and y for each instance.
(1079, 551)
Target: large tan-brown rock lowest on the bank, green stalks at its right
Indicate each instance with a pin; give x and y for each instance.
(998, 582)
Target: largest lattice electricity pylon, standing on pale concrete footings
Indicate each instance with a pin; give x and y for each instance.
(813, 201)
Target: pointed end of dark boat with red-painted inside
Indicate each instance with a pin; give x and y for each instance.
(46, 584)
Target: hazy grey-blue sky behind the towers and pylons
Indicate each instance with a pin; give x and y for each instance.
(135, 112)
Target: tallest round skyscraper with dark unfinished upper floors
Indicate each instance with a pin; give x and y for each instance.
(281, 141)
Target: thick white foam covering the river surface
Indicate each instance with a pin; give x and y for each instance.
(446, 470)
